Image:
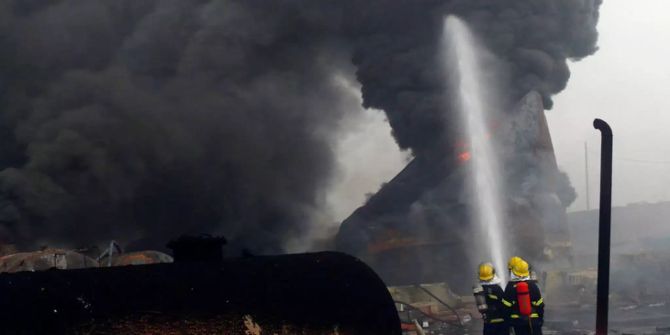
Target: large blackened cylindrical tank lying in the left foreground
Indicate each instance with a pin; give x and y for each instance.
(314, 293)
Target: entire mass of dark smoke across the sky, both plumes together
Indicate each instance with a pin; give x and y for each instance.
(146, 119)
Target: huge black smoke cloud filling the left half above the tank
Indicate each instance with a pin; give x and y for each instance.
(142, 120)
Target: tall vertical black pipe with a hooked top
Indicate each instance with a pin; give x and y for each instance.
(604, 226)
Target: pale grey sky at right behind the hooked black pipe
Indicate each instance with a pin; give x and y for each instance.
(627, 83)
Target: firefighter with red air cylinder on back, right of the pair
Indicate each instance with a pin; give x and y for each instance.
(523, 302)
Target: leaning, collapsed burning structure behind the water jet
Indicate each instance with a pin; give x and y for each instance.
(417, 226)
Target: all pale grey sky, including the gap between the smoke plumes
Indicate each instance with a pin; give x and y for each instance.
(627, 83)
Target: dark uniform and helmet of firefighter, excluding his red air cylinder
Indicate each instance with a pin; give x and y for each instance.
(524, 324)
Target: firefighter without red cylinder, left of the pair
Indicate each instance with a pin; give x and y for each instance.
(488, 295)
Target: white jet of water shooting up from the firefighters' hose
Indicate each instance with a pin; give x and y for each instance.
(473, 92)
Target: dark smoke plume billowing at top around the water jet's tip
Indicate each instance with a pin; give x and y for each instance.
(396, 55)
